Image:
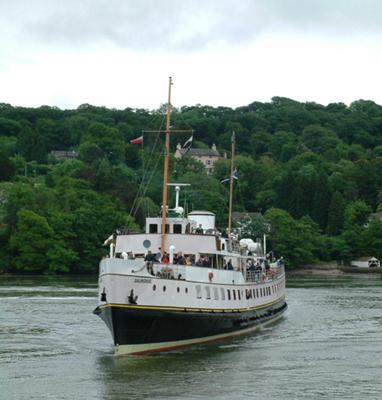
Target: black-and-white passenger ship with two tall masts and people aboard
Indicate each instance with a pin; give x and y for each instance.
(182, 282)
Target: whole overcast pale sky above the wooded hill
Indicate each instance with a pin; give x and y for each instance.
(120, 53)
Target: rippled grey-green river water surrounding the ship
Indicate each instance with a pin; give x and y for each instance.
(328, 346)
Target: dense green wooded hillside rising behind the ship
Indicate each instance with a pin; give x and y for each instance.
(313, 171)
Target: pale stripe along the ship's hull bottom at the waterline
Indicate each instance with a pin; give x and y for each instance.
(164, 346)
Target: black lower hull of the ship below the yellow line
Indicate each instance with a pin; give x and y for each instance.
(133, 325)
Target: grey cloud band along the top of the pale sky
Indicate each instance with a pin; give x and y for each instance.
(182, 25)
